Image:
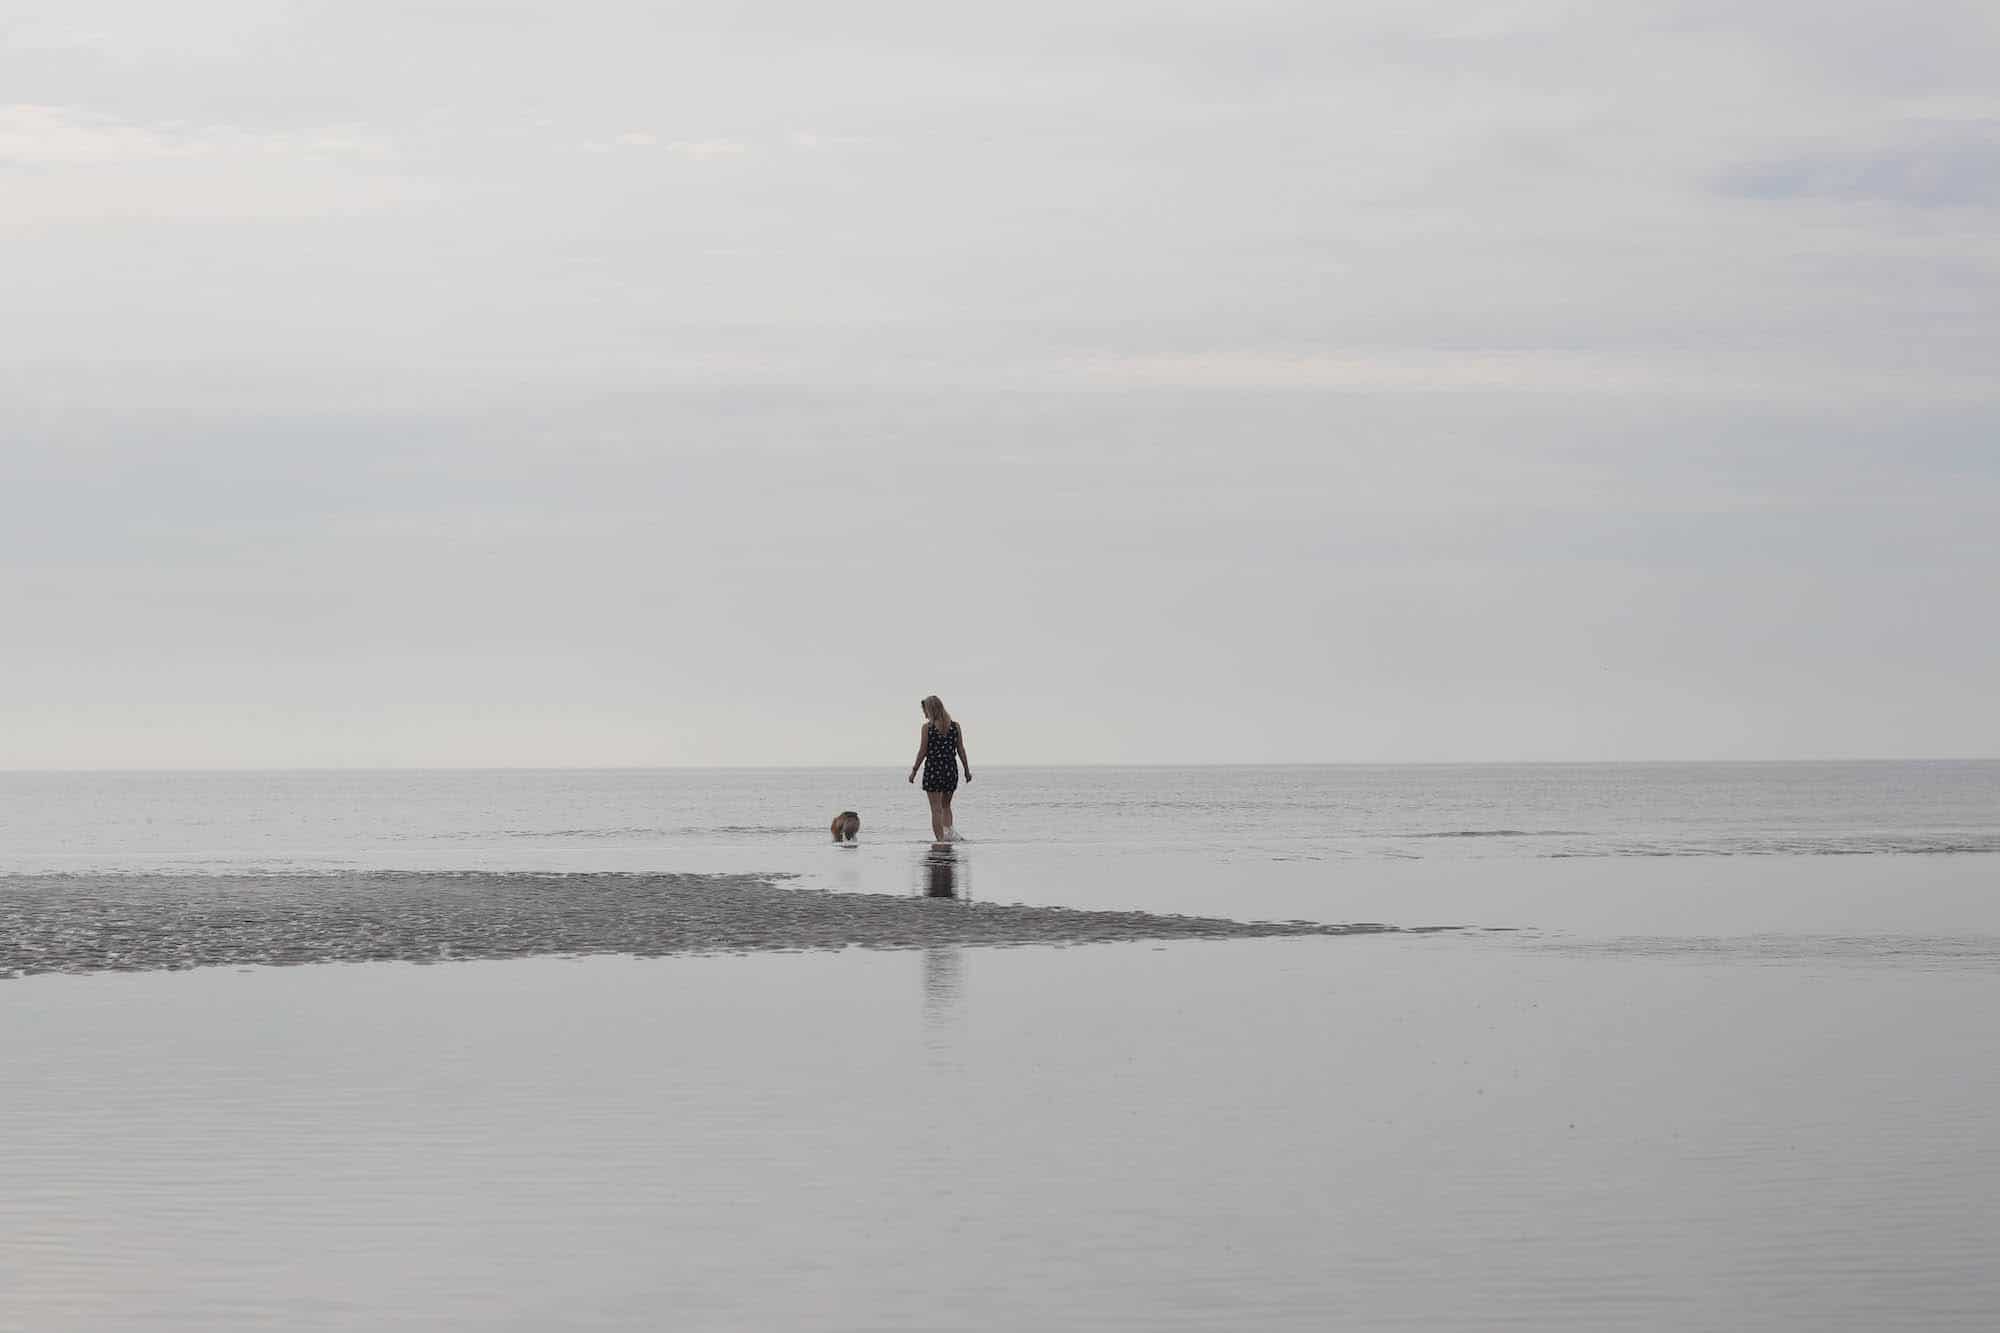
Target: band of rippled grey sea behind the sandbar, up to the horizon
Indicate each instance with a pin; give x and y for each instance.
(757, 820)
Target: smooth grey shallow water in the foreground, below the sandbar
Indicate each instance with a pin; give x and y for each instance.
(1259, 1134)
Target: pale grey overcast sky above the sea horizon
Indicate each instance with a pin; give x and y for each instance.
(635, 383)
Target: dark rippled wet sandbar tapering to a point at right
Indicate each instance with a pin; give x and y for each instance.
(55, 924)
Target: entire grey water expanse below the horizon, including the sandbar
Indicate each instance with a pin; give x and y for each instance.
(1261, 1048)
